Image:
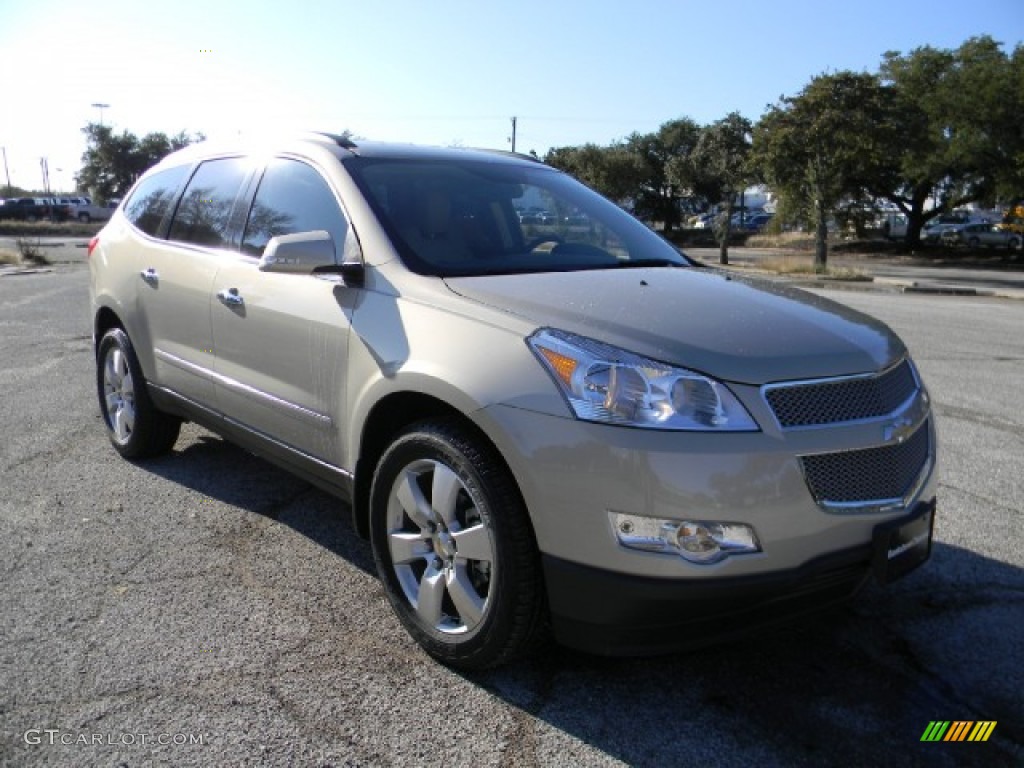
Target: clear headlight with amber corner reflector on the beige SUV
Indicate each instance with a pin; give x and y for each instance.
(607, 385)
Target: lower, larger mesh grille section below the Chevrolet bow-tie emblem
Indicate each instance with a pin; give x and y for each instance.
(871, 475)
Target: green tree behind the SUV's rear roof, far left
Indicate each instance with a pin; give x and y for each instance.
(113, 162)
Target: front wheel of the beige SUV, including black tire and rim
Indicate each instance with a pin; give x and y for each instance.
(429, 587)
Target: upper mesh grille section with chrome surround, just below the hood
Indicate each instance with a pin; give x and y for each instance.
(842, 400)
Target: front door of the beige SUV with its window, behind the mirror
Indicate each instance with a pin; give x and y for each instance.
(281, 340)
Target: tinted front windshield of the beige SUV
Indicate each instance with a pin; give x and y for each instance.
(456, 218)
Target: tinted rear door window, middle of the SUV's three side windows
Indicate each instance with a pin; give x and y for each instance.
(205, 210)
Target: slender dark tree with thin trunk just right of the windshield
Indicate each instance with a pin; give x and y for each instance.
(719, 168)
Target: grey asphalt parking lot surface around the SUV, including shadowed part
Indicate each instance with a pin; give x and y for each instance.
(206, 609)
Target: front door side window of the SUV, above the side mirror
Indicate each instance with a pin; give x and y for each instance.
(292, 198)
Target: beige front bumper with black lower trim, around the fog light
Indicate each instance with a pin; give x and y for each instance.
(610, 600)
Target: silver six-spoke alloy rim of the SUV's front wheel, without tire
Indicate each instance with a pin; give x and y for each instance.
(442, 550)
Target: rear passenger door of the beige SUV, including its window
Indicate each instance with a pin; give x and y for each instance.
(177, 277)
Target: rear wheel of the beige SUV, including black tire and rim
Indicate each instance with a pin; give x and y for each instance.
(136, 428)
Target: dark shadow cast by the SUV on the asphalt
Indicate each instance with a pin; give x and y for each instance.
(852, 687)
